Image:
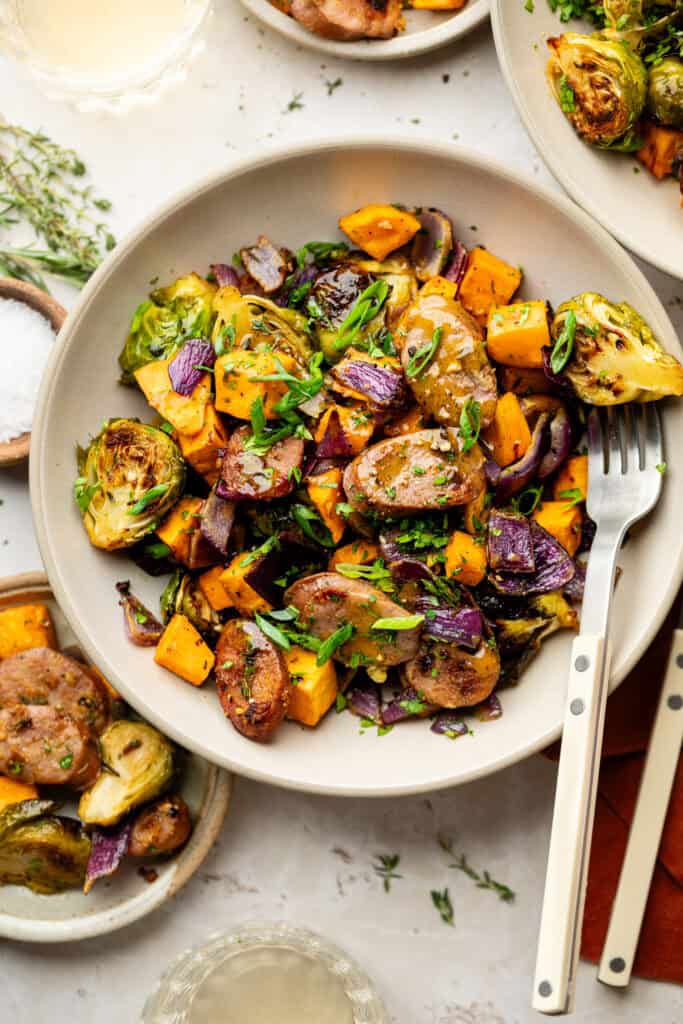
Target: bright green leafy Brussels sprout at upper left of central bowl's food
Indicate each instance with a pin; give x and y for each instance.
(165, 321)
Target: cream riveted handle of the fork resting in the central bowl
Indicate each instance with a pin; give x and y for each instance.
(573, 828)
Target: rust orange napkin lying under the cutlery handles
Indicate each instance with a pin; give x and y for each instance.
(630, 715)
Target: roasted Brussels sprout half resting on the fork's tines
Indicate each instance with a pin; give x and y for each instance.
(616, 358)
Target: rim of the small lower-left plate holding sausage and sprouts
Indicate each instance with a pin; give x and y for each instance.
(216, 804)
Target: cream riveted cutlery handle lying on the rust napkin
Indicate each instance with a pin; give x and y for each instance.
(649, 820)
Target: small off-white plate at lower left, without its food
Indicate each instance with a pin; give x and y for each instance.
(125, 898)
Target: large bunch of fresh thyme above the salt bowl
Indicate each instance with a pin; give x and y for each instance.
(38, 188)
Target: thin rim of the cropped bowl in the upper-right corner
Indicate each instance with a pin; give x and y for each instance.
(557, 163)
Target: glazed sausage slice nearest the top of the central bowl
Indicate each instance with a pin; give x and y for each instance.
(459, 369)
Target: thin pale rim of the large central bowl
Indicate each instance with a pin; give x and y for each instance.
(253, 162)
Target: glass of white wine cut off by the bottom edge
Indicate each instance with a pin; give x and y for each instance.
(266, 974)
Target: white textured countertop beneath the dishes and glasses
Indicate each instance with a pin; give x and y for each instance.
(286, 856)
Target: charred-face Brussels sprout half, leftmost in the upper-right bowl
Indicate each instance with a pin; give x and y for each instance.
(601, 84)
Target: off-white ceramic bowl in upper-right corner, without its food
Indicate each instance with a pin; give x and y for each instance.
(644, 214)
